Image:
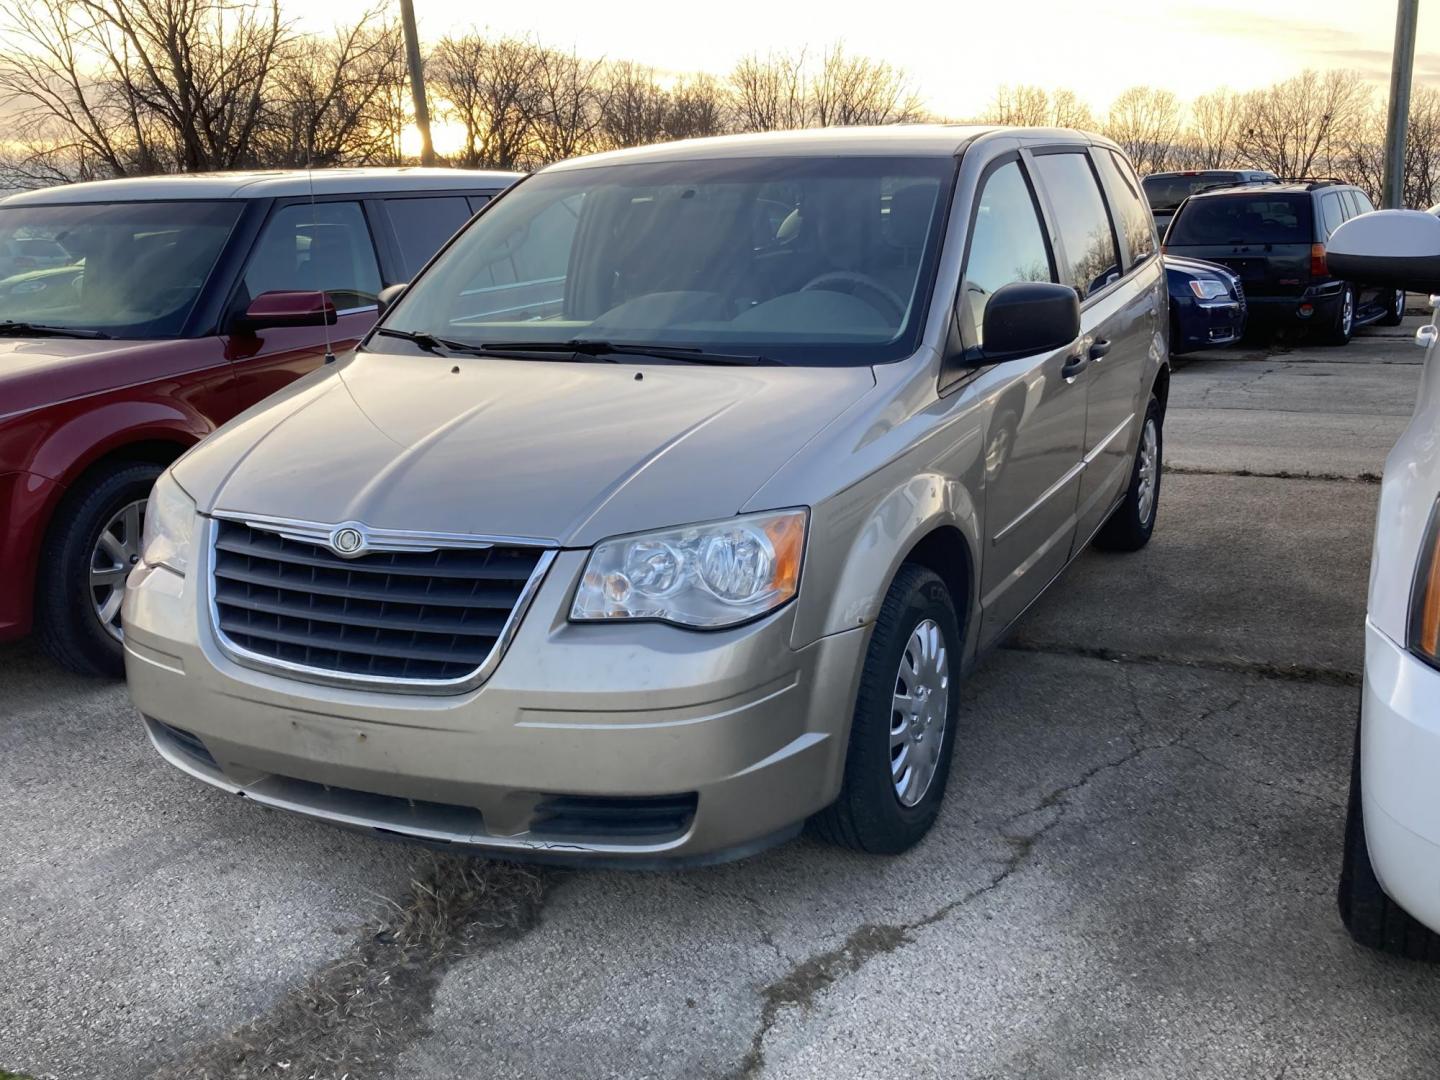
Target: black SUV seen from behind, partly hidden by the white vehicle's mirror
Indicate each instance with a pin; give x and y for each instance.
(1274, 235)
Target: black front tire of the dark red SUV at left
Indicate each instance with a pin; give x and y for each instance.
(68, 624)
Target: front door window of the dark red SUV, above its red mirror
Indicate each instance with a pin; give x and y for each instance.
(325, 247)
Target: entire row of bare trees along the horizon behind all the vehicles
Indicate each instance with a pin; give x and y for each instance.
(103, 89)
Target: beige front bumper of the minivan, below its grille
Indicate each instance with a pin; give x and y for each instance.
(737, 734)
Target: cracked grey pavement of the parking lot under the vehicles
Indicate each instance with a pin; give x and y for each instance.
(1134, 875)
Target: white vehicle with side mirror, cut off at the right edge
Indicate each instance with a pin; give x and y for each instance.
(1390, 881)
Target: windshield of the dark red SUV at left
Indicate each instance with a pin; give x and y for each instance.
(120, 270)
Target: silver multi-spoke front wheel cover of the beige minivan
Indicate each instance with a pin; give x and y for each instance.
(918, 714)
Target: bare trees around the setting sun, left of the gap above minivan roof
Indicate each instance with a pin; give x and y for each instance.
(106, 89)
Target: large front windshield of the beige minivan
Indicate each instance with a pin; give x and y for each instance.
(796, 260)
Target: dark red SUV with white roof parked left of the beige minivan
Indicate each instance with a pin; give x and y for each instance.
(162, 309)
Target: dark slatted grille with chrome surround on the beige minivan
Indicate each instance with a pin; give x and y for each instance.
(421, 617)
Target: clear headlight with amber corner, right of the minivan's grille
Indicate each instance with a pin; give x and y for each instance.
(711, 575)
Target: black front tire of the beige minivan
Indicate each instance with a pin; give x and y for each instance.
(872, 814)
